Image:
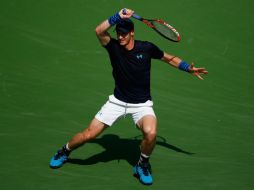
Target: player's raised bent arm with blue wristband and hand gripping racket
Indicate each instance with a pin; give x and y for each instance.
(102, 29)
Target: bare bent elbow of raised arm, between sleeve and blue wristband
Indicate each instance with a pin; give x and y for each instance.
(102, 34)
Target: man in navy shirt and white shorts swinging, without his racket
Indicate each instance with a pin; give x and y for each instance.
(131, 63)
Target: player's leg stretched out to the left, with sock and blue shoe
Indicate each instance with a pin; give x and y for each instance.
(91, 132)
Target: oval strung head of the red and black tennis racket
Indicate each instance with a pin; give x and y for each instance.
(165, 30)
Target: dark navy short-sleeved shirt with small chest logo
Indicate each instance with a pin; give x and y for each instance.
(131, 69)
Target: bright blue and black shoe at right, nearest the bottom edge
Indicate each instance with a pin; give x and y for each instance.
(143, 173)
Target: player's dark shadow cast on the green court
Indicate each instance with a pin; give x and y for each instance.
(121, 149)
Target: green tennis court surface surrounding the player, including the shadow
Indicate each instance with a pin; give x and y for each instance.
(54, 77)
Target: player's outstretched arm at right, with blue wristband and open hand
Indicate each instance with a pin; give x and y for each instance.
(182, 65)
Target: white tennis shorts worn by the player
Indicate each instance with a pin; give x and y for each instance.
(114, 109)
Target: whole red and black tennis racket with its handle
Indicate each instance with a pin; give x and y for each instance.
(161, 27)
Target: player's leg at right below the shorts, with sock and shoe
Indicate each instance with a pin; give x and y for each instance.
(148, 126)
